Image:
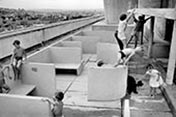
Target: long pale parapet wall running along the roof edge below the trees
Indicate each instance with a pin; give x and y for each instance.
(33, 36)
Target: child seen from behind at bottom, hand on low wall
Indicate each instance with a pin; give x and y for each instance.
(57, 104)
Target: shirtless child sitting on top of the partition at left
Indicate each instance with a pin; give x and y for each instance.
(17, 58)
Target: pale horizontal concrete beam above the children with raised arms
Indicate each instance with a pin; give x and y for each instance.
(168, 13)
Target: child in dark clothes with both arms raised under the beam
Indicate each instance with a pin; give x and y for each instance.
(138, 30)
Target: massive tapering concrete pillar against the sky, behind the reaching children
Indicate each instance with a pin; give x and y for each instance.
(113, 9)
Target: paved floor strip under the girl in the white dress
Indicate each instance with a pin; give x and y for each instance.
(143, 105)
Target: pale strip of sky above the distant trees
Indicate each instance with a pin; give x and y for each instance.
(52, 4)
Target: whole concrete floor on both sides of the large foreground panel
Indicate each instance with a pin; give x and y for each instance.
(76, 104)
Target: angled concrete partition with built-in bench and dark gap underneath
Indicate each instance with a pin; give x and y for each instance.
(68, 58)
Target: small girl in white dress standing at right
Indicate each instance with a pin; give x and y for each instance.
(155, 80)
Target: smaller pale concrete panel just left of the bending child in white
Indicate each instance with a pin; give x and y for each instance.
(107, 52)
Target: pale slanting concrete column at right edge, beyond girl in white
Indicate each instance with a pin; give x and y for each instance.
(172, 57)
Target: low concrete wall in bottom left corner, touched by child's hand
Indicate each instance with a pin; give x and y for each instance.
(23, 106)
